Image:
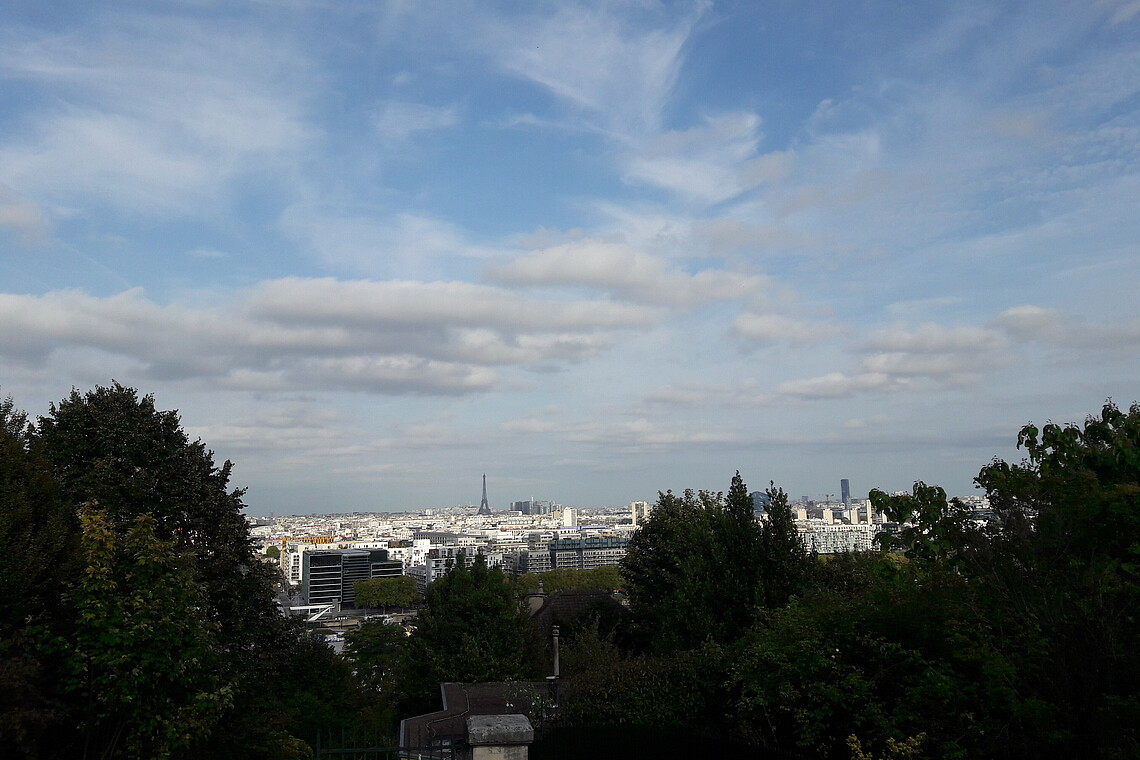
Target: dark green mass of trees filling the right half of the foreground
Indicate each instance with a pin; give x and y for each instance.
(1016, 639)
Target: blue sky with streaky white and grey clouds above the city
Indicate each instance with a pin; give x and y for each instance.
(372, 251)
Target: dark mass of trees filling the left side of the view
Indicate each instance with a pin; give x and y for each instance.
(137, 620)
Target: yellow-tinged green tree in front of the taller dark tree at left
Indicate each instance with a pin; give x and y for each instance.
(142, 661)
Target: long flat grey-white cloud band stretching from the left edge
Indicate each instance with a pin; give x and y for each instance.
(381, 338)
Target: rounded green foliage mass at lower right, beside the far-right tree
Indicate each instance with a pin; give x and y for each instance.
(876, 649)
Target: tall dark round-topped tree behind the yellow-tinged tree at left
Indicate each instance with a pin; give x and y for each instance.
(112, 448)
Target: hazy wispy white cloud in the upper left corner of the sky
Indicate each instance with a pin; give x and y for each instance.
(154, 116)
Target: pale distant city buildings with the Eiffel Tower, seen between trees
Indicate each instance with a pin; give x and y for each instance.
(323, 555)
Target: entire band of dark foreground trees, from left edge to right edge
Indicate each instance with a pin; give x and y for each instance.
(142, 625)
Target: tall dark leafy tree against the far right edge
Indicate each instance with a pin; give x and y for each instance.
(1063, 578)
